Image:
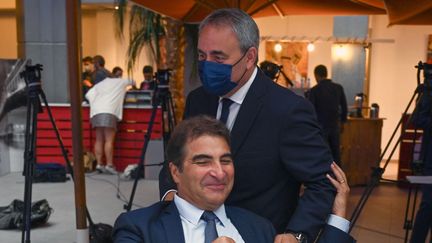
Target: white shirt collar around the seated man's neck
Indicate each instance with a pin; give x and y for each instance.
(193, 214)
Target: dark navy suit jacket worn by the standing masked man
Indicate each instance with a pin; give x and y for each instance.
(276, 144)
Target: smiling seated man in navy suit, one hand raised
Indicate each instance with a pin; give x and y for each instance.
(201, 165)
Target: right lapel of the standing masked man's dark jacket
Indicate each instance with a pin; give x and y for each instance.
(250, 108)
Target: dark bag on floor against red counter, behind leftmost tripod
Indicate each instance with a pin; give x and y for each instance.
(49, 172)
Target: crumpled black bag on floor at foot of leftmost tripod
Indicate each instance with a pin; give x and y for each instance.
(11, 216)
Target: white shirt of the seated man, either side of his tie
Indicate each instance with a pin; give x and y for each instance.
(193, 225)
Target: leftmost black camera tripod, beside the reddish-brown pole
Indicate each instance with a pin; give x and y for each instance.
(32, 77)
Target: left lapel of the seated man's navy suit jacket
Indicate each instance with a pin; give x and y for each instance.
(171, 222)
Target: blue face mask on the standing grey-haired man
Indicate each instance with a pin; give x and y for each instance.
(216, 77)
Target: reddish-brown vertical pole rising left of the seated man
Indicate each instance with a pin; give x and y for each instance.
(73, 30)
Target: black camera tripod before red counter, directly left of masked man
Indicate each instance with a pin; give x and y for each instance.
(161, 97)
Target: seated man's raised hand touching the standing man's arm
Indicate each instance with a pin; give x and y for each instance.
(342, 188)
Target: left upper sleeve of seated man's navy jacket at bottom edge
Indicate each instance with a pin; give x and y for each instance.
(125, 231)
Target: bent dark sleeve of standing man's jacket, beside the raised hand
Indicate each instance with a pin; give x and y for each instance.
(307, 158)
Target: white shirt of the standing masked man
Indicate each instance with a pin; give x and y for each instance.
(237, 99)
